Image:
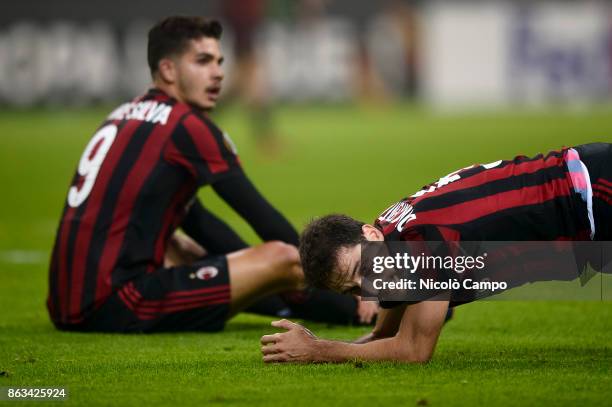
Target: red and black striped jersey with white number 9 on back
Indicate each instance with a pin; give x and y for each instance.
(131, 190)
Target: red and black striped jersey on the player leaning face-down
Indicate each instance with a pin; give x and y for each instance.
(517, 200)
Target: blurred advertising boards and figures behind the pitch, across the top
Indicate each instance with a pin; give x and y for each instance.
(443, 53)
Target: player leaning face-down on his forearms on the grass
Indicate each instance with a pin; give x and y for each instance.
(566, 195)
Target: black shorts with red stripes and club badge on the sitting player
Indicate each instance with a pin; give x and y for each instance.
(186, 298)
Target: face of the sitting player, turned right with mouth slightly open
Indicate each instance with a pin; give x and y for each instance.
(200, 73)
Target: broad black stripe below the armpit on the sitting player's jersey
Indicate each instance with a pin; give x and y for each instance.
(157, 194)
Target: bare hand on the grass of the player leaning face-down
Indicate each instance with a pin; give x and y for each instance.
(297, 345)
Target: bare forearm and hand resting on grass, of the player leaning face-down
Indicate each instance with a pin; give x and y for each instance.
(414, 342)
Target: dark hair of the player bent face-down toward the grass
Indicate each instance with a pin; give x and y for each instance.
(320, 243)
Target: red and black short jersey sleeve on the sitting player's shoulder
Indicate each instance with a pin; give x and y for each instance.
(200, 147)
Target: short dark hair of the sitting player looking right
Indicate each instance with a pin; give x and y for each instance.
(171, 35)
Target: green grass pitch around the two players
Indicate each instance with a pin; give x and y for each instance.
(334, 158)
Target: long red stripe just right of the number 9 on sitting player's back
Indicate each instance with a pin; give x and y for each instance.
(90, 215)
